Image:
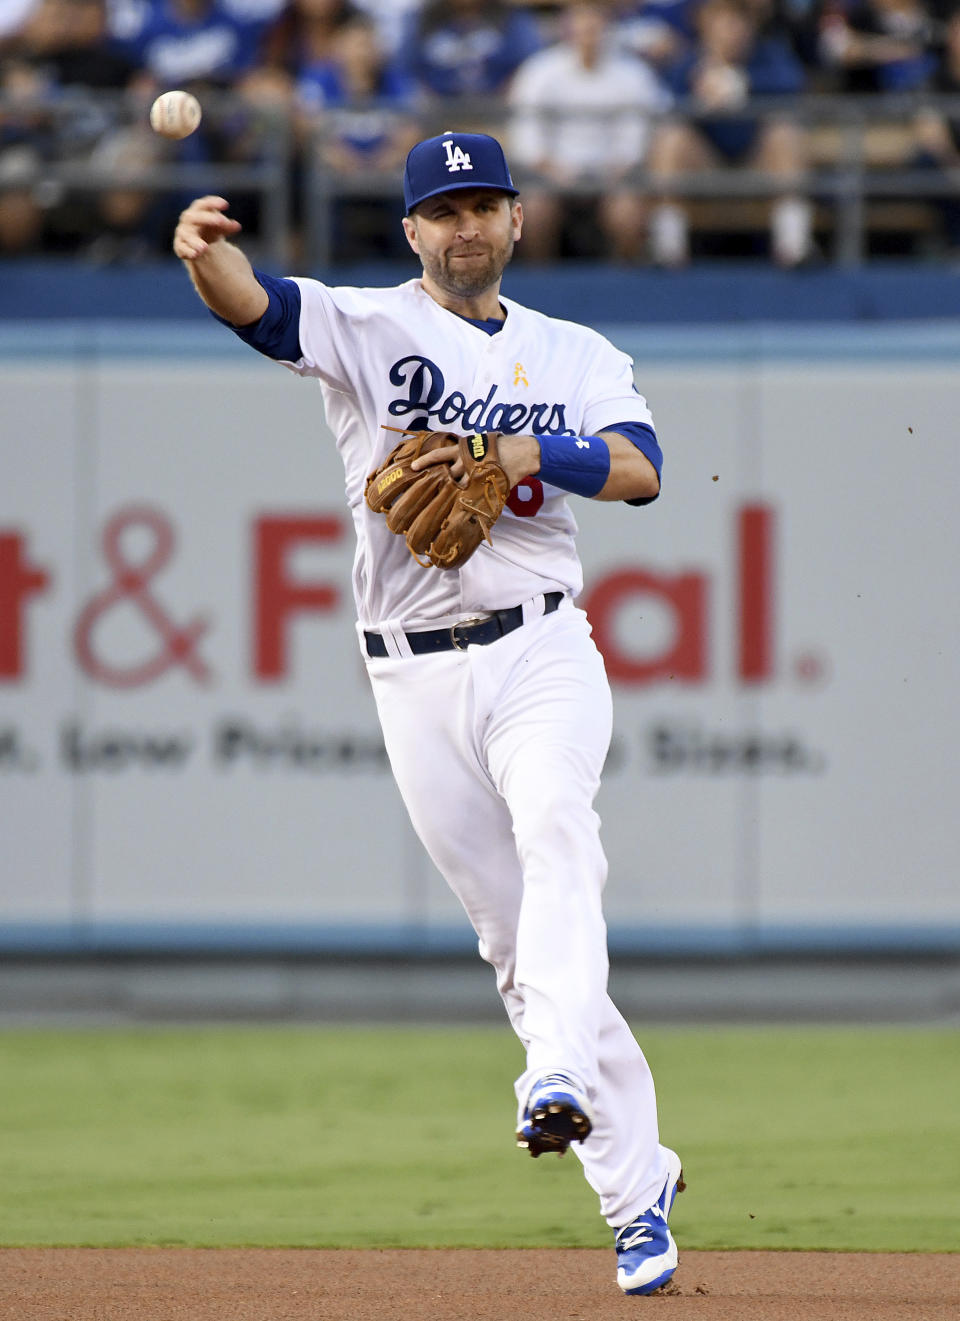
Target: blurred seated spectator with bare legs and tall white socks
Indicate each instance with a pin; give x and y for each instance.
(732, 63)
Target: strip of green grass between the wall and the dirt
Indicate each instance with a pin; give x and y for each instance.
(382, 1138)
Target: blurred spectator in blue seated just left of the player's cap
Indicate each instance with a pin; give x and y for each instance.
(360, 102)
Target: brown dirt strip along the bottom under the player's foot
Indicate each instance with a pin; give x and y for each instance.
(273, 1285)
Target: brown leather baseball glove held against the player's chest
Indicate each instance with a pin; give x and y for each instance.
(444, 520)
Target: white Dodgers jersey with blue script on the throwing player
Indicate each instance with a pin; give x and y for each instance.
(395, 359)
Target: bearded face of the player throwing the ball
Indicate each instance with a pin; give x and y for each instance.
(465, 240)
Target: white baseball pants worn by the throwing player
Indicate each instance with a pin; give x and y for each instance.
(498, 752)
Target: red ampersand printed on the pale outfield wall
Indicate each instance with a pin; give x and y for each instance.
(130, 585)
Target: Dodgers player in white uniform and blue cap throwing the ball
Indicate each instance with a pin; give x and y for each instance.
(487, 673)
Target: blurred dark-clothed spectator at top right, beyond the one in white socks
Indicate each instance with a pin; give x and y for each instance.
(877, 46)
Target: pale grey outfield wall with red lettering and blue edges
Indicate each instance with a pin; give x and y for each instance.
(189, 755)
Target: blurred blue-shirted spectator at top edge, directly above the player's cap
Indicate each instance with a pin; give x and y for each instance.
(467, 48)
